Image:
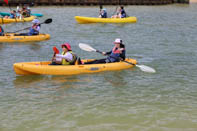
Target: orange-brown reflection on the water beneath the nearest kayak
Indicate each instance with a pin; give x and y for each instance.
(35, 81)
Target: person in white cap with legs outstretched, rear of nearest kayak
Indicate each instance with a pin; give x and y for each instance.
(115, 55)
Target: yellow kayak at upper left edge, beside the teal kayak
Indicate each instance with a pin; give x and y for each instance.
(6, 21)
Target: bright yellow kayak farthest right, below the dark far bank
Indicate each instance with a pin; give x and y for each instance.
(84, 20)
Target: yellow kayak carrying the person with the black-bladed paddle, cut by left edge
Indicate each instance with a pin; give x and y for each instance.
(11, 37)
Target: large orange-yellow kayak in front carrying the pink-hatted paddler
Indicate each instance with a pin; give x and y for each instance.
(42, 68)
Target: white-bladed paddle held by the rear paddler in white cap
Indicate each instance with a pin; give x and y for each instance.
(144, 68)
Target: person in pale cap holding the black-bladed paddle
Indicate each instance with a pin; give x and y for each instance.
(34, 30)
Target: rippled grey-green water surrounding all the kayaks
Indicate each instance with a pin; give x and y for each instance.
(164, 38)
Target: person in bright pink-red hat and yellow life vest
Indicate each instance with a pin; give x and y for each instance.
(67, 57)
